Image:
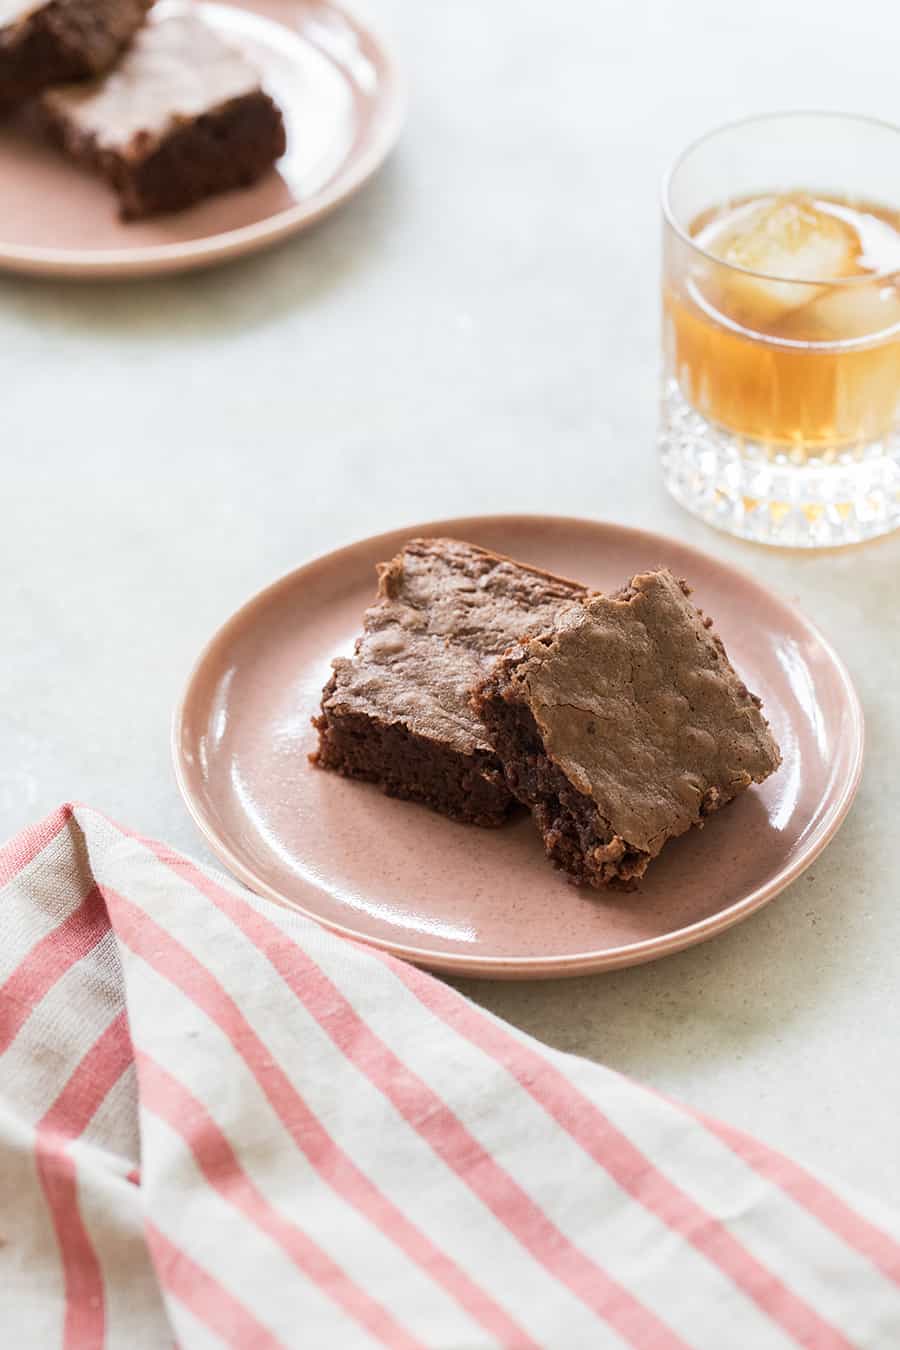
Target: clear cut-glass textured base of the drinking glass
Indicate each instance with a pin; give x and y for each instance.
(751, 491)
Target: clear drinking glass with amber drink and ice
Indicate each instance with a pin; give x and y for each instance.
(781, 410)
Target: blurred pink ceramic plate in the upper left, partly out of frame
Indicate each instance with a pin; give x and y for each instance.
(343, 107)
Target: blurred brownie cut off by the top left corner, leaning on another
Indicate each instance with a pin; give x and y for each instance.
(43, 45)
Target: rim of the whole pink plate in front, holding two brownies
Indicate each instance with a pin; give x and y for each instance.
(534, 967)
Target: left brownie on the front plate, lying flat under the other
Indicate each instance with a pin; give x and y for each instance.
(399, 712)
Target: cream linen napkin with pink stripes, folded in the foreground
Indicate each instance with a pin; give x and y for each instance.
(222, 1125)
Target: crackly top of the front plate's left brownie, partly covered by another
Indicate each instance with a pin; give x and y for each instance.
(445, 611)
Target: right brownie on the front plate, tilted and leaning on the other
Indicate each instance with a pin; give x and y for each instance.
(624, 726)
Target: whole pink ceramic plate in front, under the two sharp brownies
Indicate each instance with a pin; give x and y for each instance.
(486, 902)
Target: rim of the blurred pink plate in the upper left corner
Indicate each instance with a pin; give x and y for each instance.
(159, 260)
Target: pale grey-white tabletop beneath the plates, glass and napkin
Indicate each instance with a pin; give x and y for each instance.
(478, 333)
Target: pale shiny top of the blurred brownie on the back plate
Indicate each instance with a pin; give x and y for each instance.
(177, 70)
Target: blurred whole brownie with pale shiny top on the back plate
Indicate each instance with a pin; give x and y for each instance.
(183, 117)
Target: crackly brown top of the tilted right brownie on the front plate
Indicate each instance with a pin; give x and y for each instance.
(639, 705)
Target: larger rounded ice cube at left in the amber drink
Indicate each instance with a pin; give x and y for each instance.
(781, 238)
